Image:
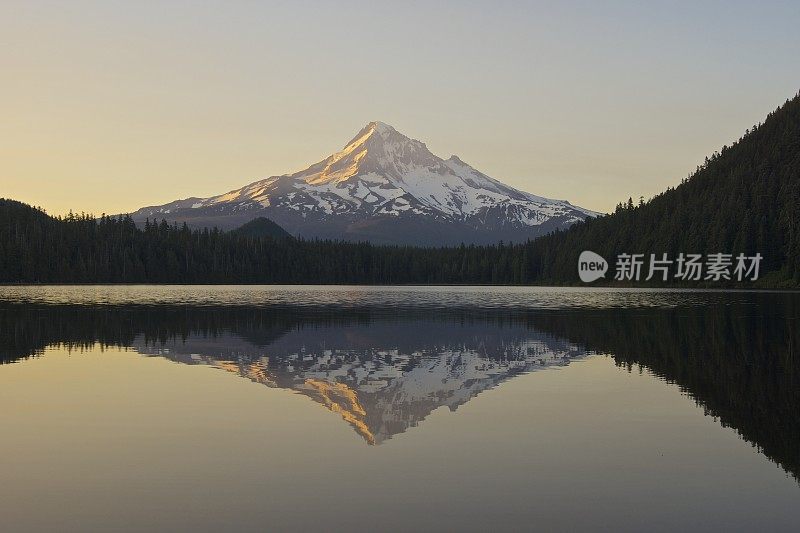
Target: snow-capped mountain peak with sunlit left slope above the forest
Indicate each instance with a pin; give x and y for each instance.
(386, 188)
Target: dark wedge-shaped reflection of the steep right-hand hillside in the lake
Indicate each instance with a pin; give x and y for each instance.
(738, 362)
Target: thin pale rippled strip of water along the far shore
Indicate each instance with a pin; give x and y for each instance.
(375, 297)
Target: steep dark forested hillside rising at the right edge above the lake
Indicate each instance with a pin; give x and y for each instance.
(743, 199)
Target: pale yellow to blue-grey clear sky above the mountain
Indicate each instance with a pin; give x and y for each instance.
(109, 106)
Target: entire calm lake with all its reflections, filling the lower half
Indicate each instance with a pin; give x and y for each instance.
(209, 408)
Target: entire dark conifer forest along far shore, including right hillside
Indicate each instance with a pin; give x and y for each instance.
(744, 198)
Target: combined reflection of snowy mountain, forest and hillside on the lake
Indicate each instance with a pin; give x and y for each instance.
(385, 373)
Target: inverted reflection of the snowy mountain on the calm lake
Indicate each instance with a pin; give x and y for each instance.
(384, 378)
